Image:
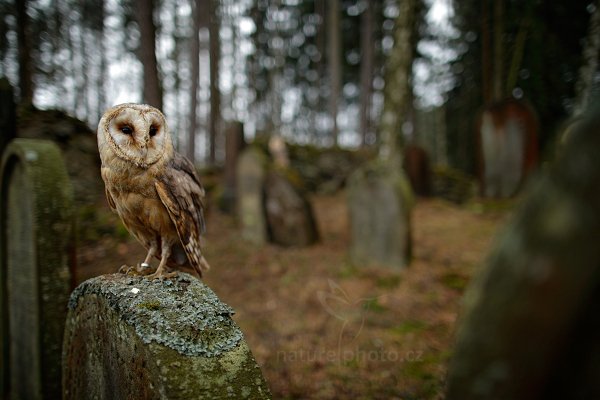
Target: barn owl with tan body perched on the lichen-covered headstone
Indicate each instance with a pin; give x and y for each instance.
(154, 189)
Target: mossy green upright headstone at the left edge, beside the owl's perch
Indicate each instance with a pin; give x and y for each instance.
(35, 237)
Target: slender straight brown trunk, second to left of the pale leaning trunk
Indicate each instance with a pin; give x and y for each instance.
(335, 63)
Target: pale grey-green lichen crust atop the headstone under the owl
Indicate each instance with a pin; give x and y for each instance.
(183, 313)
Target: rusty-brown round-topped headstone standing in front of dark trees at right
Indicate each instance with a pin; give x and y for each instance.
(508, 147)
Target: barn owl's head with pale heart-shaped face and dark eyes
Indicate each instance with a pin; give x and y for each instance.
(137, 133)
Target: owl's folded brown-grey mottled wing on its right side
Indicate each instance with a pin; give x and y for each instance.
(180, 191)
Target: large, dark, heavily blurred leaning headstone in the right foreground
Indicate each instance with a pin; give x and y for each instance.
(530, 324)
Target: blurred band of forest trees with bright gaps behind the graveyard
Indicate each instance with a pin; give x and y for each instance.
(310, 70)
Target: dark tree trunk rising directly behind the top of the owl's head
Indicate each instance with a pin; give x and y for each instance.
(152, 93)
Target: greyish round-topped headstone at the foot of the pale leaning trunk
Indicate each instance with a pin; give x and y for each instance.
(379, 202)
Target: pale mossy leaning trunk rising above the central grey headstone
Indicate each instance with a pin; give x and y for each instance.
(397, 91)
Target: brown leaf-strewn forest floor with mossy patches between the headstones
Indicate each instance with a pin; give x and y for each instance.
(321, 328)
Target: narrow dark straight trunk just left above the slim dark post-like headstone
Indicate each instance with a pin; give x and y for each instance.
(215, 94)
